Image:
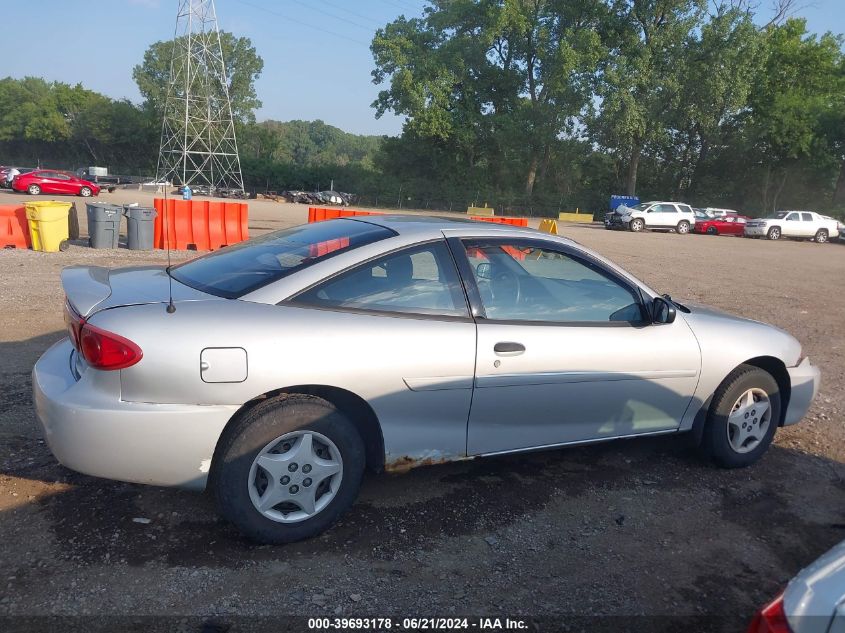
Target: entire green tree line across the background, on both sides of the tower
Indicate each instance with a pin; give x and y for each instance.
(531, 106)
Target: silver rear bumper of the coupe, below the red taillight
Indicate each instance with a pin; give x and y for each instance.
(91, 430)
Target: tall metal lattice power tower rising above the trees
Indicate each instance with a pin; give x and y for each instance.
(198, 144)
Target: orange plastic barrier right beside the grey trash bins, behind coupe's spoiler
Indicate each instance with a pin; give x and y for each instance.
(201, 225)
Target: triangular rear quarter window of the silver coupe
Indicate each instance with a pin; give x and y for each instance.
(421, 280)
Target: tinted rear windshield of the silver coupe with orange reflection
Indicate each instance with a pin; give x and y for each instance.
(238, 270)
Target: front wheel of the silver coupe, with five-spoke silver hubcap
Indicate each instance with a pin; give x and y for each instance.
(743, 418)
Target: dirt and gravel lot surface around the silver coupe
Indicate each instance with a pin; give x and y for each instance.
(638, 528)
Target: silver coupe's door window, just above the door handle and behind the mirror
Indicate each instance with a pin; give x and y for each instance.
(526, 282)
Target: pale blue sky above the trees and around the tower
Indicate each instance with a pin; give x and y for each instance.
(316, 54)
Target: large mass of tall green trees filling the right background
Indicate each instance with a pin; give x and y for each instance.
(572, 100)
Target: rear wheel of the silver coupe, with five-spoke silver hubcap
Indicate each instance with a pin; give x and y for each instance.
(288, 469)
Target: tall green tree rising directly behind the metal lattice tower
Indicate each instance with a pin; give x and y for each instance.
(243, 67)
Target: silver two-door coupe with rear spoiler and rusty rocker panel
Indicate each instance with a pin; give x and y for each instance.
(275, 371)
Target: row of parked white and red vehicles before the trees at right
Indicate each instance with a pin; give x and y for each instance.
(682, 218)
